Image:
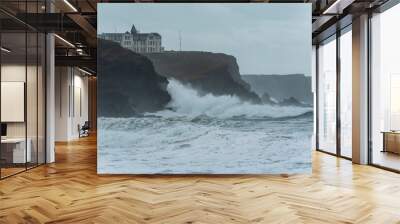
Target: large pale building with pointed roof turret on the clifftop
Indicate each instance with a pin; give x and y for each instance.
(136, 41)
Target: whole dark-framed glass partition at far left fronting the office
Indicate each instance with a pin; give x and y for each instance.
(22, 91)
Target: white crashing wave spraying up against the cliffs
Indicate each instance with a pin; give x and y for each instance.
(186, 101)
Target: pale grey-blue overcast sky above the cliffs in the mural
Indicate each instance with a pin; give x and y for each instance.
(264, 38)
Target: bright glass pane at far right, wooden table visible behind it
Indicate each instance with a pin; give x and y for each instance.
(385, 89)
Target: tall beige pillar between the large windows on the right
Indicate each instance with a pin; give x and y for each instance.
(360, 90)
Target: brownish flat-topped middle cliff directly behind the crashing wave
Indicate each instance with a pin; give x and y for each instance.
(208, 72)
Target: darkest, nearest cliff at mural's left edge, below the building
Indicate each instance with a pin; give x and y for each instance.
(127, 82)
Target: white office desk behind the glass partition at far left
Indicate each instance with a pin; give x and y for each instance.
(19, 153)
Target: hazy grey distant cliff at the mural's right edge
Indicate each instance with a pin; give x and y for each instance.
(282, 87)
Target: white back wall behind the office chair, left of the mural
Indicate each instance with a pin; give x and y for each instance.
(71, 93)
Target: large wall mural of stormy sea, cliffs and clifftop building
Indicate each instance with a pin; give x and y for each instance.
(204, 88)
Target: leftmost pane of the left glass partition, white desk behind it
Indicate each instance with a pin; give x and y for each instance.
(14, 153)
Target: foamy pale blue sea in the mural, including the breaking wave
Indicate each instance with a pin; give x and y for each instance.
(207, 134)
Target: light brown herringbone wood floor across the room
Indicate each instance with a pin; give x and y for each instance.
(70, 191)
